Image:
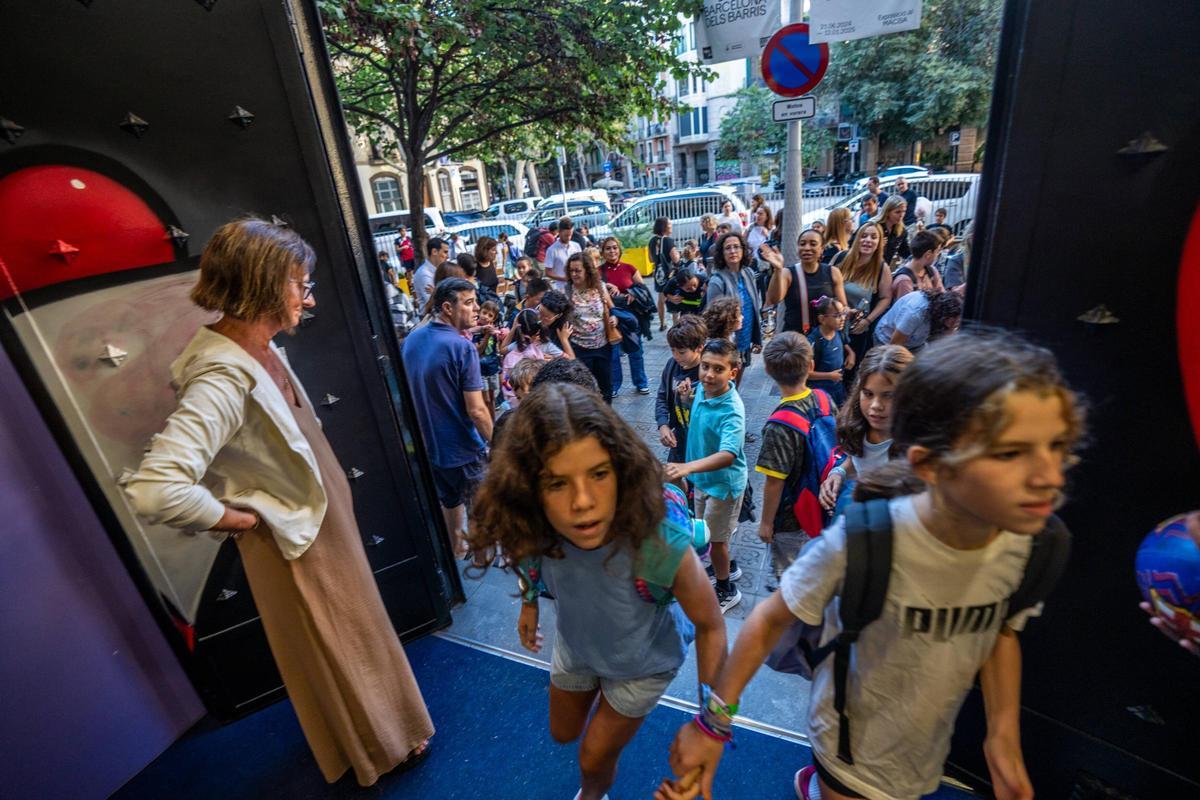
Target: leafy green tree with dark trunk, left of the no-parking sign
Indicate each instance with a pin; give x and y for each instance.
(448, 80)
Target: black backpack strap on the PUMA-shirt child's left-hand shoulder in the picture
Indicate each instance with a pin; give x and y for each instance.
(863, 594)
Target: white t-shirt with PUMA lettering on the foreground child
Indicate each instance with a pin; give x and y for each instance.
(913, 669)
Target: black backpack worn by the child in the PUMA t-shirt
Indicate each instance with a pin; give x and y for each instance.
(866, 590)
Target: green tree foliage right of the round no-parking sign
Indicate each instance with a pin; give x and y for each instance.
(920, 83)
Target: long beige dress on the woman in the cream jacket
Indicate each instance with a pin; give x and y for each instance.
(335, 647)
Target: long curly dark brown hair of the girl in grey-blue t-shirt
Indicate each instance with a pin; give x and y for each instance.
(508, 508)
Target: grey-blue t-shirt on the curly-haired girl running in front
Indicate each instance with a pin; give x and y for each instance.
(607, 628)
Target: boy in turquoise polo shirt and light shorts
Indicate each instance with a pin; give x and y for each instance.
(717, 460)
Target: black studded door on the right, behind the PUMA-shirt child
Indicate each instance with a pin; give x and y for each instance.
(1069, 222)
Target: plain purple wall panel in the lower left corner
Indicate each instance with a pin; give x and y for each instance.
(91, 690)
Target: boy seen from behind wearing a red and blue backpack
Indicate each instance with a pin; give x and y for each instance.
(799, 444)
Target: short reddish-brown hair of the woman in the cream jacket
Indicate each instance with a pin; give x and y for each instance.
(247, 268)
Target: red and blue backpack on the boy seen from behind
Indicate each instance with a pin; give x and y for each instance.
(802, 492)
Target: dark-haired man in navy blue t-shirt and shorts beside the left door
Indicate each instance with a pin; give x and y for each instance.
(448, 398)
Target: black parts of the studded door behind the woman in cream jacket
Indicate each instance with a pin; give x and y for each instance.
(70, 74)
